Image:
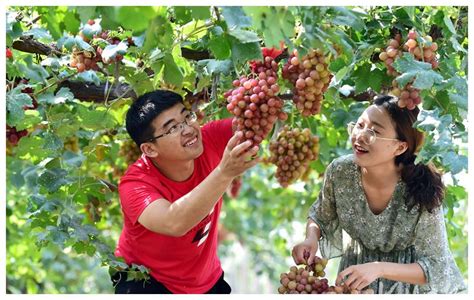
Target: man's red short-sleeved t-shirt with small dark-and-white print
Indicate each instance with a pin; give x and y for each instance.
(187, 264)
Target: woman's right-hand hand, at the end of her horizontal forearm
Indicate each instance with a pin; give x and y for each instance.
(360, 276)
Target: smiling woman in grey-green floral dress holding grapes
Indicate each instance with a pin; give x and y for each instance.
(390, 208)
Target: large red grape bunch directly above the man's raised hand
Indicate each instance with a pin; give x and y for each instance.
(254, 102)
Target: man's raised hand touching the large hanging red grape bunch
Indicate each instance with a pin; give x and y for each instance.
(237, 157)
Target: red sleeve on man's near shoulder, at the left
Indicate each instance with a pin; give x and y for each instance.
(135, 196)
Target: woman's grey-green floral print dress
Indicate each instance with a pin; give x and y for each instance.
(395, 235)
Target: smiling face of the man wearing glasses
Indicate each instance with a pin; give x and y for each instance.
(181, 140)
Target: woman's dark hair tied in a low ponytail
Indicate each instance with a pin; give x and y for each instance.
(424, 185)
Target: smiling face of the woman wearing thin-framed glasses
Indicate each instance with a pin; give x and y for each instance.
(374, 139)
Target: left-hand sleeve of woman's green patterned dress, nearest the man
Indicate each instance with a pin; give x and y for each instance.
(324, 213)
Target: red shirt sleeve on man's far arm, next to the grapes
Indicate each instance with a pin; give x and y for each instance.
(218, 133)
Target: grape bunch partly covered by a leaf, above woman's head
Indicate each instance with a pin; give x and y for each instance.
(423, 49)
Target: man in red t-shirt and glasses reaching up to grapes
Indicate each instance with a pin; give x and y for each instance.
(171, 197)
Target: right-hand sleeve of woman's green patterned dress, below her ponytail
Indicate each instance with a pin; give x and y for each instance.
(434, 257)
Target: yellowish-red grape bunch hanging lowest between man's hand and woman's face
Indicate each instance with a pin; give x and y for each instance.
(292, 152)
